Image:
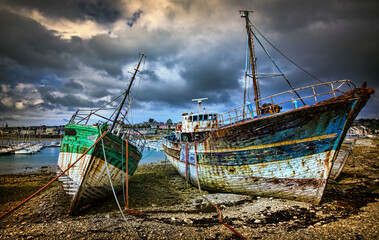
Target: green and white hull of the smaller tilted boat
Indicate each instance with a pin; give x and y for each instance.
(87, 181)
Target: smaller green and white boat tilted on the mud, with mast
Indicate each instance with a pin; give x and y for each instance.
(87, 181)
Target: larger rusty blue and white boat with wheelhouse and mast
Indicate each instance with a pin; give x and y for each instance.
(281, 146)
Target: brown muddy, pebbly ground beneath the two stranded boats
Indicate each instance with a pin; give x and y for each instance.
(175, 210)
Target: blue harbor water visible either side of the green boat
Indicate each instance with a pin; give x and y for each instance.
(20, 163)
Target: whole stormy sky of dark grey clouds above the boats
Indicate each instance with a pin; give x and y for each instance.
(57, 56)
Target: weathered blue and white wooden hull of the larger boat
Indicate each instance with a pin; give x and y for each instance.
(286, 155)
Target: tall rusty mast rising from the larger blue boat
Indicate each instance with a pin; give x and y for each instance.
(245, 14)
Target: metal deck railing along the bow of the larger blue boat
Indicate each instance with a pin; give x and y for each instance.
(285, 101)
